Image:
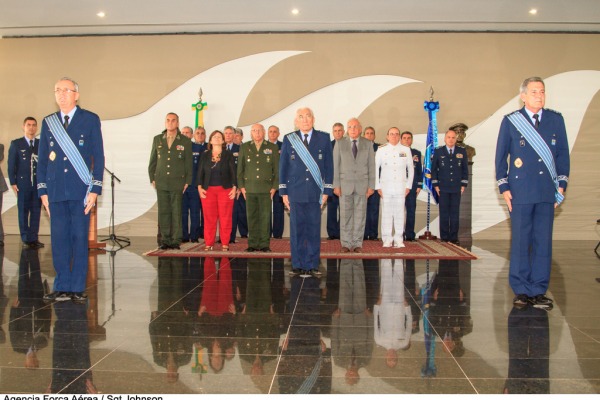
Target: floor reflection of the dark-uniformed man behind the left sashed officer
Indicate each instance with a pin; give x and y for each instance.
(29, 325)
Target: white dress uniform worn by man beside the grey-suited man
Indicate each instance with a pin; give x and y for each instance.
(394, 177)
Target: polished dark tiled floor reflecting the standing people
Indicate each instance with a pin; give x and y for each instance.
(179, 325)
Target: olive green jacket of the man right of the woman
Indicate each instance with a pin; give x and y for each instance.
(258, 170)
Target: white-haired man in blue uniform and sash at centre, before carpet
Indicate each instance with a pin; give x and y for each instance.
(305, 182)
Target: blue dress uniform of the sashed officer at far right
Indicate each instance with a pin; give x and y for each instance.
(521, 170)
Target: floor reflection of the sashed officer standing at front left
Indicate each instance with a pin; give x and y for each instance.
(71, 372)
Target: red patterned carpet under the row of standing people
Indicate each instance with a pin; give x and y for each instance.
(422, 249)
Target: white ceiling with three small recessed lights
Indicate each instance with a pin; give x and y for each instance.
(23, 18)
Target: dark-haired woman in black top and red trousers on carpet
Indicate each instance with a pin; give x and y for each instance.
(217, 187)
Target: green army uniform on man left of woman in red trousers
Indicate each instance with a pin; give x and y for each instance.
(171, 170)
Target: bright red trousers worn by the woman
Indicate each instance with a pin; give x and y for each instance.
(217, 206)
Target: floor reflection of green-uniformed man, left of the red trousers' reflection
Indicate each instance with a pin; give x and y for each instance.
(170, 327)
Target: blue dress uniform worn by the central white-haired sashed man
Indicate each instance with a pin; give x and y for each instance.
(296, 181)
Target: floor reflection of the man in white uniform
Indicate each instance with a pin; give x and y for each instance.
(392, 314)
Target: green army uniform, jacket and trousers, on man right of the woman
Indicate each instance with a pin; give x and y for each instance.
(258, 173)
